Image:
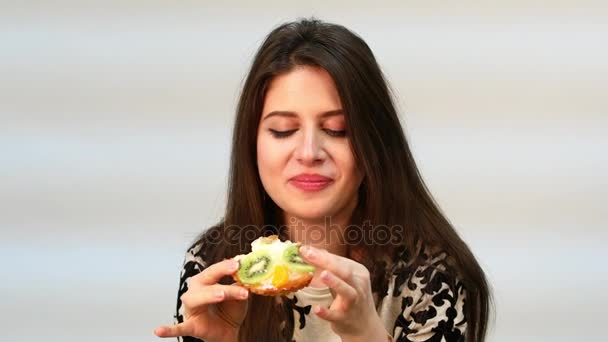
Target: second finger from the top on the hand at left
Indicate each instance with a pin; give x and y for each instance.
(213, 294)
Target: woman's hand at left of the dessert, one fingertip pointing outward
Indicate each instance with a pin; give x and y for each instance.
(212, 312)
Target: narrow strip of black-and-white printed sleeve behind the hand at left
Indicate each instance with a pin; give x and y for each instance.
(193, 265)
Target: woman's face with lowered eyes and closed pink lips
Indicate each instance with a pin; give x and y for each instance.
(304, 158)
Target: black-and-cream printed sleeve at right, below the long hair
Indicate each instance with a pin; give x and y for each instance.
(432, 309)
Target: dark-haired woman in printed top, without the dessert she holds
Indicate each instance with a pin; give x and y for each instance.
(319, 157)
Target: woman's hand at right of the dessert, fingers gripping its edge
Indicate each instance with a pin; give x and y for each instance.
(352, 313)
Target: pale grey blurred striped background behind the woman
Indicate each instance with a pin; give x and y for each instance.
(114, 143)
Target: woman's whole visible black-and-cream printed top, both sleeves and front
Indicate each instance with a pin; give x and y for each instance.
(422, 304)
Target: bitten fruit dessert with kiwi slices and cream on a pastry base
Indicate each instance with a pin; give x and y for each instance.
(273, 267)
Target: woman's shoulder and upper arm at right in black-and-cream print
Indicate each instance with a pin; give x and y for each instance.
(432, 297)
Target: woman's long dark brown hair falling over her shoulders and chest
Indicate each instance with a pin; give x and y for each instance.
(392, 193)
